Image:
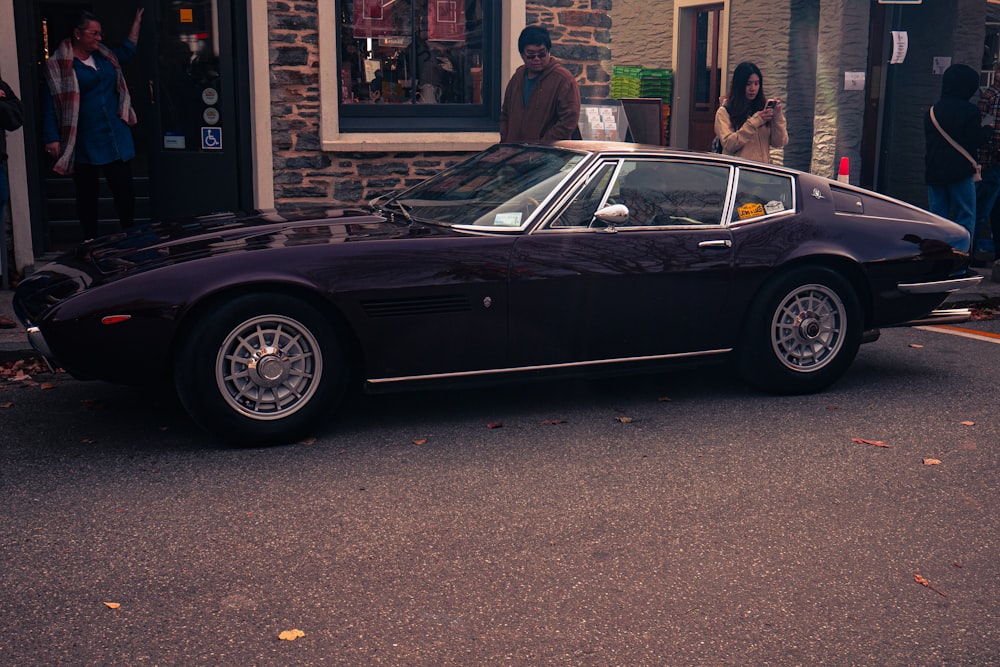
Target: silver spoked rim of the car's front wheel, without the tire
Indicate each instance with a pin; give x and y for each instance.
(269, 367)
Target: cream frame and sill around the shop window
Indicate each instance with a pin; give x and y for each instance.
(341, 134)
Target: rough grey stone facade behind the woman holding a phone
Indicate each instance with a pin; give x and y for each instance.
(805, 48)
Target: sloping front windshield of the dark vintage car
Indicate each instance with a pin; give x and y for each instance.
(498, 188)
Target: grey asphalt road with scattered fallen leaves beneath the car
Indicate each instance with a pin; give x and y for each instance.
(672, 520)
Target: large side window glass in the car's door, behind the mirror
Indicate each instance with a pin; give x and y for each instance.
(668, 193)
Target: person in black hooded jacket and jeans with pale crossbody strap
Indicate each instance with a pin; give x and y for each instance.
(951, 190)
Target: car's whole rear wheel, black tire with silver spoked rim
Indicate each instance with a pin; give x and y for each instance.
(802, 333)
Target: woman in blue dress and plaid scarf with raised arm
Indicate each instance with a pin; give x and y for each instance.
(87, 118)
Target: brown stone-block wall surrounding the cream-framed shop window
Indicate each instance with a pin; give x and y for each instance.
(581, 34)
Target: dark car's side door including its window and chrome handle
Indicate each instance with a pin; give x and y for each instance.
(656, 284)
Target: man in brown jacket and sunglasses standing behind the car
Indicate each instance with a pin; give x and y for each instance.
(542, 101)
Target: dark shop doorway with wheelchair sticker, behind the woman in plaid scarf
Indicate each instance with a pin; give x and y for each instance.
(187, 87)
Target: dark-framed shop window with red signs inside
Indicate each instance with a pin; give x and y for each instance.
(418, 65)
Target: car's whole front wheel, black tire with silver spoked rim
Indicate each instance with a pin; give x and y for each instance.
(262, 369)
